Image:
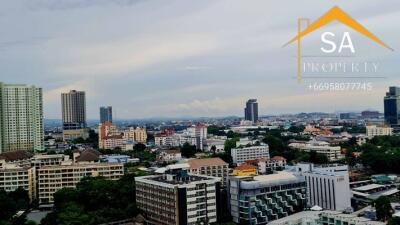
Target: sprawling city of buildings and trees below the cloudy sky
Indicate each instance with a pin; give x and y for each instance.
(306, 168)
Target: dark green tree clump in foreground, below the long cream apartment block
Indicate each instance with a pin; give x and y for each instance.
(95, 200)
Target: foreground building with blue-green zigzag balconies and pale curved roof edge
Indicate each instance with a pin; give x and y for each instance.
(264, 198)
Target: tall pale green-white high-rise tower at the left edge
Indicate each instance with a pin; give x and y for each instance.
(21, 118)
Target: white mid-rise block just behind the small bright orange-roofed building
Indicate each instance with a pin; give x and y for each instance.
(242, 154)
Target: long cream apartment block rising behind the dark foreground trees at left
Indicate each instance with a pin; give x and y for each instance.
(53, 178)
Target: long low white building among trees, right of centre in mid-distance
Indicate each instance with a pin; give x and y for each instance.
(322, 147)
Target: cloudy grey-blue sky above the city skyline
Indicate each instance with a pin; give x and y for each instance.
(175, 58)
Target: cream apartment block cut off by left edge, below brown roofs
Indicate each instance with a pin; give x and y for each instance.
(13, 176)
